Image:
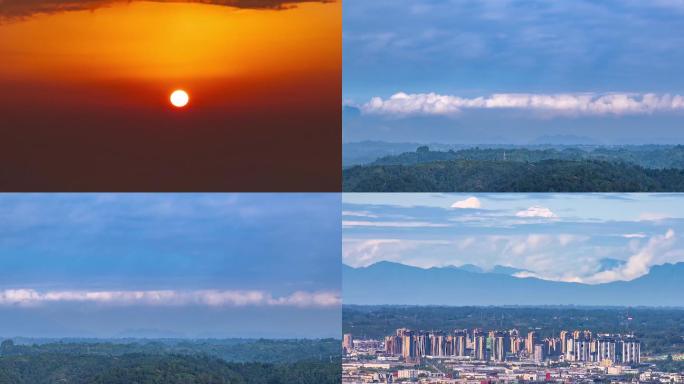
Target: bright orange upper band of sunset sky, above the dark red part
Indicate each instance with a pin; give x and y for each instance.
(171, 41)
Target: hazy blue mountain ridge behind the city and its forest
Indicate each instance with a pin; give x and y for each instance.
(399, 284)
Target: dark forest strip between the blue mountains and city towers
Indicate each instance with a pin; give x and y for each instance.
(661, 331)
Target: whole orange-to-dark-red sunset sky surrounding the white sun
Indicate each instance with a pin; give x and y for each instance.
(85, 101)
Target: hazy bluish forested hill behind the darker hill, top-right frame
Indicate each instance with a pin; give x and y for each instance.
(647, 156)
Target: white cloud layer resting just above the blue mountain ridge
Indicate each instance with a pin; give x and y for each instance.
(558, 257)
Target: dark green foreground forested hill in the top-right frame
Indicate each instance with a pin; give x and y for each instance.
(512, 176)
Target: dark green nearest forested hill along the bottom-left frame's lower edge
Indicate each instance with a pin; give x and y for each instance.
(50, 368)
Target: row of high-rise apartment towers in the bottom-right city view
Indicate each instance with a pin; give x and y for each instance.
(510, 345)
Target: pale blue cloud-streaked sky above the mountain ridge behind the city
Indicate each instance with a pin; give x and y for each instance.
(590, 238)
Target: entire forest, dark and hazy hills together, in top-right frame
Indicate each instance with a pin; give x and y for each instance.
(647, 168)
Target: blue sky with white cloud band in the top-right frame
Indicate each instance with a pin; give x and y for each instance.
(510, 71)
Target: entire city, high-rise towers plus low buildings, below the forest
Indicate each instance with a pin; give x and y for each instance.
(477, 356)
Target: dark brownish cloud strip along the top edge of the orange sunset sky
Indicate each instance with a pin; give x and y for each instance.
(24, 8)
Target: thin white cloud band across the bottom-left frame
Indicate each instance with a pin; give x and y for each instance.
(212, 298)
